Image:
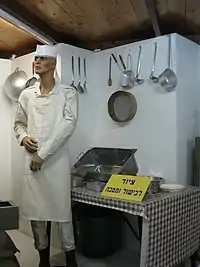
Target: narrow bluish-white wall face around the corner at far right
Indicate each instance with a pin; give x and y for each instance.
(187, 105)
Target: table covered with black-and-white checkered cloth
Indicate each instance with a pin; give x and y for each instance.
(171, 223)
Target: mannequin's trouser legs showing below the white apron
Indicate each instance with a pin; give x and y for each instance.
(65, 231)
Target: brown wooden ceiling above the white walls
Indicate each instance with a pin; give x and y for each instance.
(99, 23)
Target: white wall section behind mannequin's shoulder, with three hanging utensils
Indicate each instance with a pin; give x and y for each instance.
(85, 130)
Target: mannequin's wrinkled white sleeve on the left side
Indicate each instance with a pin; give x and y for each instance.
(20, 123)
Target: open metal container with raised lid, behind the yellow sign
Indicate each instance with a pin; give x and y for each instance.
(100, 163)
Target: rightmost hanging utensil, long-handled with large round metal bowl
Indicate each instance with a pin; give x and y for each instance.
(168, 79)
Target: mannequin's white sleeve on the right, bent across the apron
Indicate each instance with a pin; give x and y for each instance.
(63, 131)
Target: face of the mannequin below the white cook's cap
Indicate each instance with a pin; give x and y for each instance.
(44, 65)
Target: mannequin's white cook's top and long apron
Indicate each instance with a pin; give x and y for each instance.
(46, 194)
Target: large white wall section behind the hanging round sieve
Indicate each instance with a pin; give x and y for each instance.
(149, 130)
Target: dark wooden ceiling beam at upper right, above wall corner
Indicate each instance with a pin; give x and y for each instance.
(153, 14)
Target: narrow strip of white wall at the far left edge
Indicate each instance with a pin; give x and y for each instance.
(5, 133)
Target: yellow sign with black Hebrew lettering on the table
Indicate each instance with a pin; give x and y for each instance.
(126, 187)
